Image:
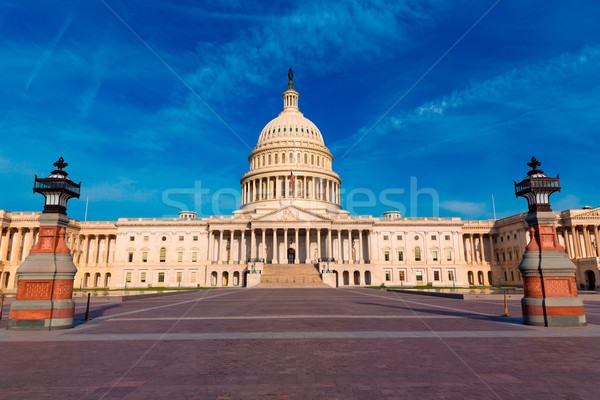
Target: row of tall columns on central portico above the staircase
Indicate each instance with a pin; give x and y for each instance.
(274, 245)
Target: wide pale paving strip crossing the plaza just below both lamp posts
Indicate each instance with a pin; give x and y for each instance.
(589, 332)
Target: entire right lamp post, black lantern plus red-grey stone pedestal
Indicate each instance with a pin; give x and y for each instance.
(548, 274)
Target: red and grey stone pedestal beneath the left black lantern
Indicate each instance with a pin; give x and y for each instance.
(45, 286)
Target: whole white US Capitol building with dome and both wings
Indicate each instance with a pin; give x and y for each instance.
(291, 224)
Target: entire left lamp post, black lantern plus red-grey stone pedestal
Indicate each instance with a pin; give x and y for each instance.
(45, 288)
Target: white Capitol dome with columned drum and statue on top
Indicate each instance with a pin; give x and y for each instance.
(290, 165)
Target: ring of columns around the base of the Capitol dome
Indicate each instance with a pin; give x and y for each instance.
(280, 187)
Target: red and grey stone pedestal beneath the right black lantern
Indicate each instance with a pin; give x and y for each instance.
(548, 278)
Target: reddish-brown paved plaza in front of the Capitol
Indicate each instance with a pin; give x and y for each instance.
(302, 344)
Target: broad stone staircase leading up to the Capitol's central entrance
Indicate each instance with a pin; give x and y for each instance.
(290, 276)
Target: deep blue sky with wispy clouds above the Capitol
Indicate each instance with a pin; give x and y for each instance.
(151, 102)
